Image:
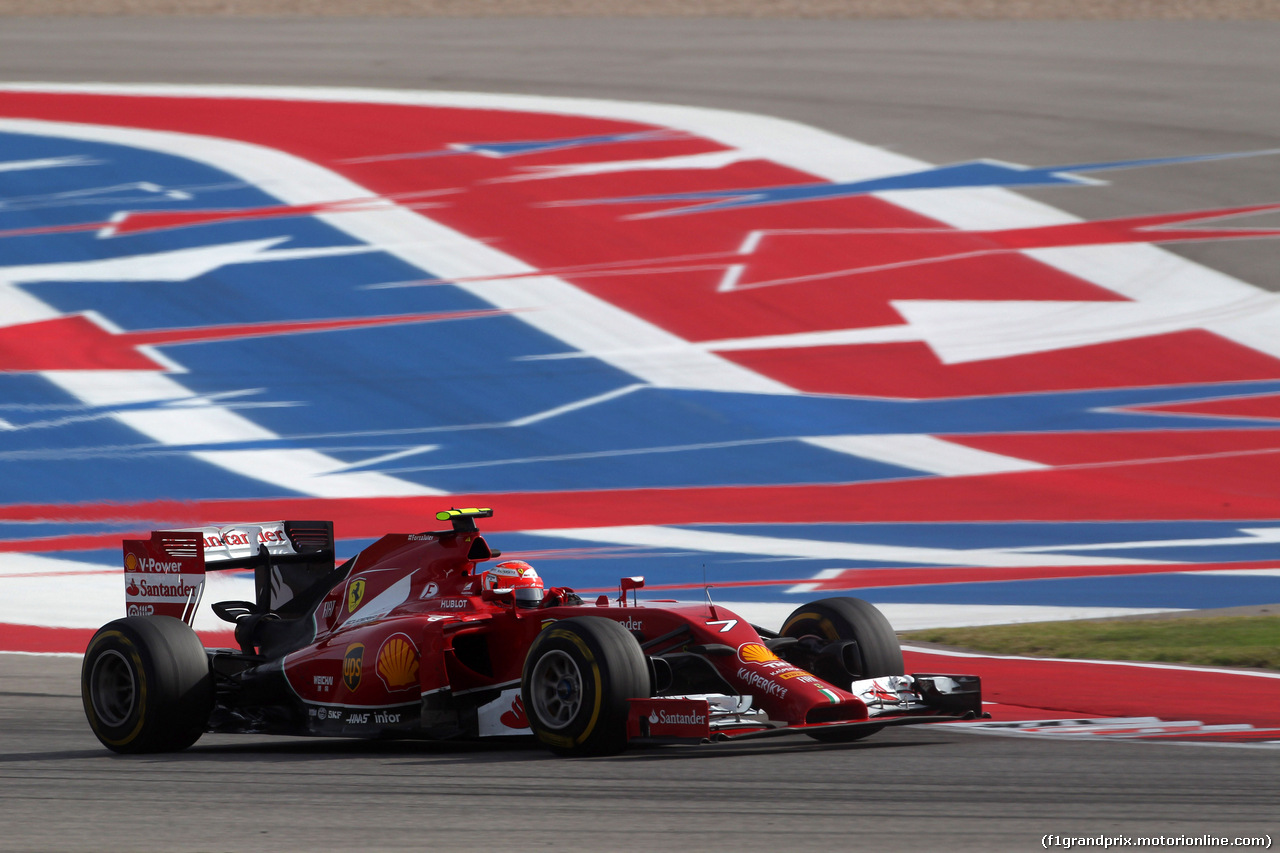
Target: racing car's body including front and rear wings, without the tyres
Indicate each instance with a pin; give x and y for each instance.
(400, 641)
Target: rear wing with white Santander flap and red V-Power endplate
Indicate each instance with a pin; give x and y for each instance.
(166, 576)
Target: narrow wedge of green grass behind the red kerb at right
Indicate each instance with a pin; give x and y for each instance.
(1244, 641)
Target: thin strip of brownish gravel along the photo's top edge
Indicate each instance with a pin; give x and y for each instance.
(833, 10)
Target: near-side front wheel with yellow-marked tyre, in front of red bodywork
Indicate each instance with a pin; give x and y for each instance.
(579, 676)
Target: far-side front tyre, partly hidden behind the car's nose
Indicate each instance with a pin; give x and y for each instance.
(851, 619)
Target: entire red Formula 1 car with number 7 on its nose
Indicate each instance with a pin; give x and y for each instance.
(415, 638)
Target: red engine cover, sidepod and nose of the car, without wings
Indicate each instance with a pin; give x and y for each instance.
(395, 631)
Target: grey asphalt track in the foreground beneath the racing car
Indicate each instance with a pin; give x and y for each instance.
(906, 790)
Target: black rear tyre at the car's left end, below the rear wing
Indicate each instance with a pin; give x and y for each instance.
(147, 686)
